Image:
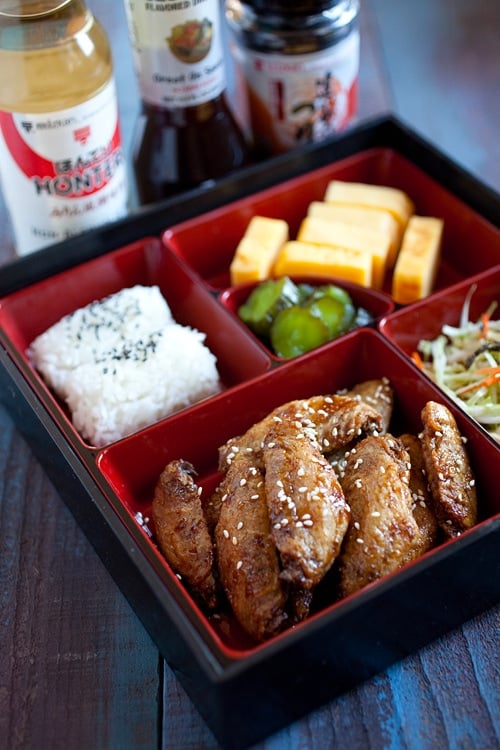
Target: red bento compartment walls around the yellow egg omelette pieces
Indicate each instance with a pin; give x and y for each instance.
(470, 243)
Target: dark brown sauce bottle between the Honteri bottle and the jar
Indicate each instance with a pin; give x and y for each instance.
(187, 134)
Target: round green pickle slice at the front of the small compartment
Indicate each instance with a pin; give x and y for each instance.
(296, 331)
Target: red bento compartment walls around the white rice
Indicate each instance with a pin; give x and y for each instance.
(27, 313)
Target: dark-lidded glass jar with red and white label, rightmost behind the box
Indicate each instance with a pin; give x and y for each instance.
(299, 62)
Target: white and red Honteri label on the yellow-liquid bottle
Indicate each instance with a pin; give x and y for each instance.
(63, 172)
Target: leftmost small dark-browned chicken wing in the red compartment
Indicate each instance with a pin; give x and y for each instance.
(181, 530)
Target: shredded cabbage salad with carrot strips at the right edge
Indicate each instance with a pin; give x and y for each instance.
(464, 360)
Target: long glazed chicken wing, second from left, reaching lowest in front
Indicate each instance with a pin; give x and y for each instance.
(247, 557)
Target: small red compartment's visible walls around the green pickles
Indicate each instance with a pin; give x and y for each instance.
(377, 303)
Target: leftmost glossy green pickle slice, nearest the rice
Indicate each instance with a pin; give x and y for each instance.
(266, 301)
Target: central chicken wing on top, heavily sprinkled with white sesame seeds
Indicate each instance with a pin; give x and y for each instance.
(307, 509)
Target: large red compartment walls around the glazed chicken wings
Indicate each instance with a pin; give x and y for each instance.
(130, 468)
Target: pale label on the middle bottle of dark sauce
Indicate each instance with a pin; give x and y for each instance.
(178, 51)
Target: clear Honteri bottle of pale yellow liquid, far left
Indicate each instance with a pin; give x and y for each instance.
(62, 167)
